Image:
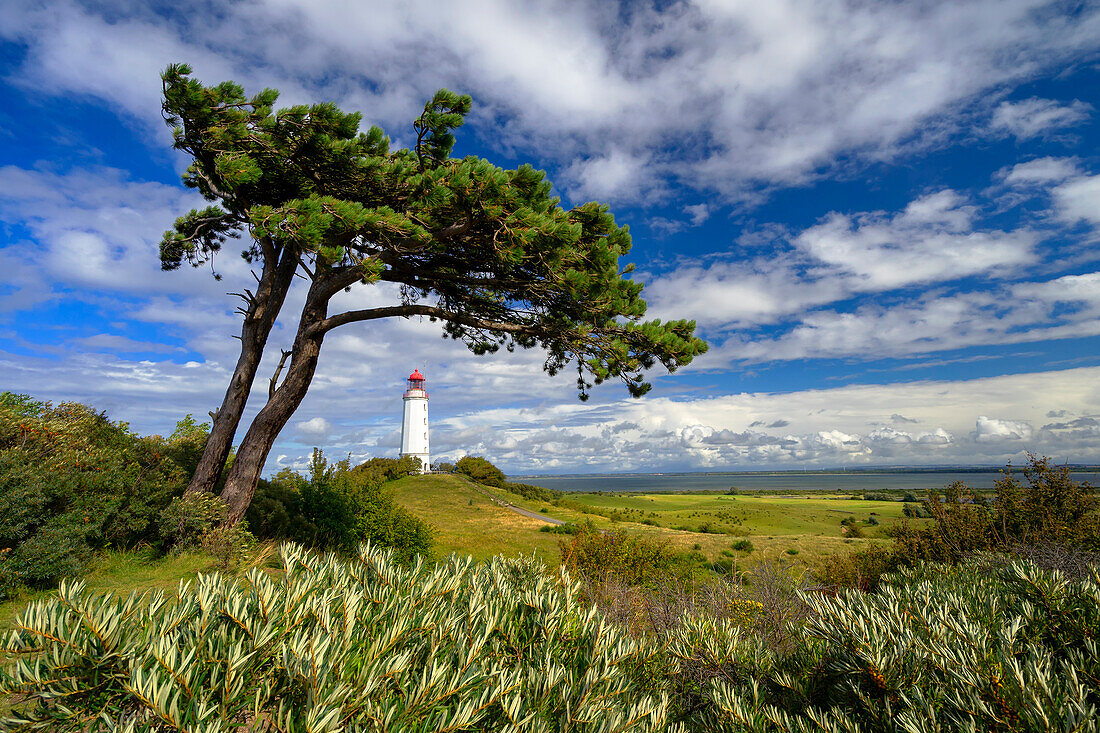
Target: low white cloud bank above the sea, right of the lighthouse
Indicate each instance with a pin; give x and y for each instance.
(842, 426)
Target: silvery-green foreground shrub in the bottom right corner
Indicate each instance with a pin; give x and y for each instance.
(936, 649)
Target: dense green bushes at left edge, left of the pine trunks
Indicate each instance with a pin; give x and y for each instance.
(73, 482)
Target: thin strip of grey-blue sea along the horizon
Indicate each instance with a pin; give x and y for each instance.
(778, 480)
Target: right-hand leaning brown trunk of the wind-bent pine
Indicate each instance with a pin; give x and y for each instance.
(269, 423)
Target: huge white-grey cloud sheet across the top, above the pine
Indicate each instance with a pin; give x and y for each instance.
(713, 95)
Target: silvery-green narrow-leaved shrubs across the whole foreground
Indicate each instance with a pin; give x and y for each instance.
(376, 646)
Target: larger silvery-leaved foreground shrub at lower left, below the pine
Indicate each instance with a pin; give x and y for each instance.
(334, 646)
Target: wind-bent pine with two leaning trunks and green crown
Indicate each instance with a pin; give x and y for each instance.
(487, 251)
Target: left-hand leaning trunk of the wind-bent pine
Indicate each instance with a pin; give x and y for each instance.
(259, 320)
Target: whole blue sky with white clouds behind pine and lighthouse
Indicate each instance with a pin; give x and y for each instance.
(884, 217)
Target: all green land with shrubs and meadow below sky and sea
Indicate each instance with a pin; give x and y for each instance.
(956, 610)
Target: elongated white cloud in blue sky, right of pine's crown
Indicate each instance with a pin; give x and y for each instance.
(933, 240)
